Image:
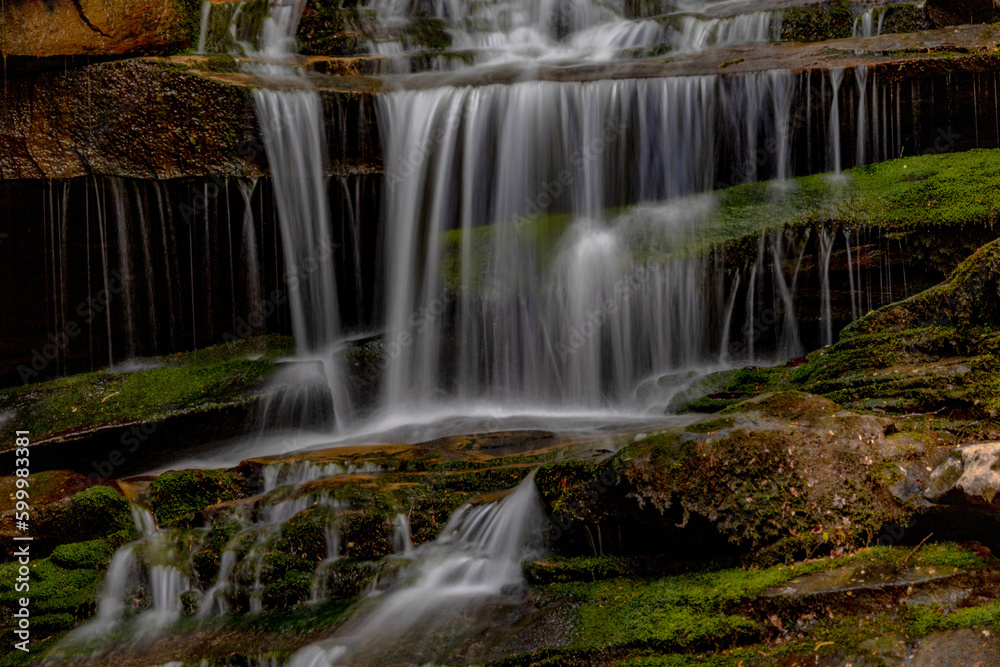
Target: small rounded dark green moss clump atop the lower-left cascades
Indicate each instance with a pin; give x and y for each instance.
(176, 496)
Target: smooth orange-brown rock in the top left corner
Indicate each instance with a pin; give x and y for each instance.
(44, 28)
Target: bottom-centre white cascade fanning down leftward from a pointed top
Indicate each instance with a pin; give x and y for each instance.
(477, 557)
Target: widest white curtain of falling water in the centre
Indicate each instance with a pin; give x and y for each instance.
(508, 281)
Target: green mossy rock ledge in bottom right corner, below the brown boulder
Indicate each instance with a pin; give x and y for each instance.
(733, 617)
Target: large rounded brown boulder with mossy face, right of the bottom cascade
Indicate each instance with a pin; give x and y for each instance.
(780, 476)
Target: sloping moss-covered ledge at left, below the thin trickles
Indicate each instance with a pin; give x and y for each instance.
(149, 389)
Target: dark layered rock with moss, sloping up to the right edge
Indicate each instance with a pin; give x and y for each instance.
(934, 351)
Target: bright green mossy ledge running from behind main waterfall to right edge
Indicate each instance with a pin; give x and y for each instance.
(917, 198)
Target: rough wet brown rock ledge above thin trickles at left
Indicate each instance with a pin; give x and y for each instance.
(137, 118)
